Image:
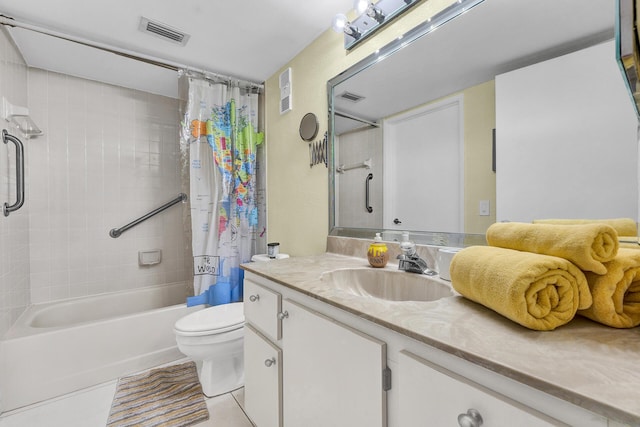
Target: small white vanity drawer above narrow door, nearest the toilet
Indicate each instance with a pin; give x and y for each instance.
(261, 308)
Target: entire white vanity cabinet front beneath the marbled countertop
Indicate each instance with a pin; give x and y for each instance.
(309, 363)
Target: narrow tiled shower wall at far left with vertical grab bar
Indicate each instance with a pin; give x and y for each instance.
(14, 229)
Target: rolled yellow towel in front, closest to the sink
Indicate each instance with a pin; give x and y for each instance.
(539, 292)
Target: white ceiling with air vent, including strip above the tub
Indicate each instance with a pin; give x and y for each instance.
(246, 39)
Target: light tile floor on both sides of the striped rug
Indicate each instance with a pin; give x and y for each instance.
(90, 408)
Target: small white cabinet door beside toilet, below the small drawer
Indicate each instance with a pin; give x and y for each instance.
(263, 379)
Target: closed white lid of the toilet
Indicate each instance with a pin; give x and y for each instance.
(212, 320)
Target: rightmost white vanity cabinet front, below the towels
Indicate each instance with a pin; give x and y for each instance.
(432, 396)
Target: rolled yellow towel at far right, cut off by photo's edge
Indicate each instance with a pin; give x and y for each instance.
(616, 295)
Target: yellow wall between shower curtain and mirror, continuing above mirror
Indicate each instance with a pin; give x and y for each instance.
(297, 195)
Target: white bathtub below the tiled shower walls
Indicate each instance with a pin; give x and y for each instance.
(59, 347)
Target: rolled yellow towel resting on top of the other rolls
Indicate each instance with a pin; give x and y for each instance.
(588, 245)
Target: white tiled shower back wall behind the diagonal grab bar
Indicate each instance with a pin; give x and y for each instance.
(108, 156)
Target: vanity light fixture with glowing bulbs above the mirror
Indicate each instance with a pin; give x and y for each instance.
(370, 17)
